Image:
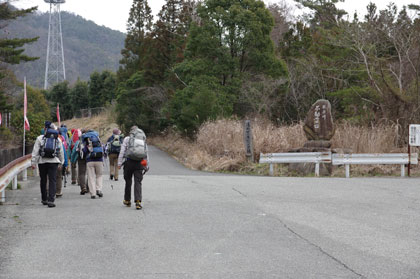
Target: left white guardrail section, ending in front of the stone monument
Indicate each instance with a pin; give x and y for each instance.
(298, 157)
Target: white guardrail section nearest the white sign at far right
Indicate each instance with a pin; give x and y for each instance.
(375, 159)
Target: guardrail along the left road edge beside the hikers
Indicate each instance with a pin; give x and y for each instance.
(10, 172)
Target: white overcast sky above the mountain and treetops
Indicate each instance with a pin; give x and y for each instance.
(114, 13)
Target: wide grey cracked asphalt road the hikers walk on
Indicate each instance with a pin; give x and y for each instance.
(201, 225)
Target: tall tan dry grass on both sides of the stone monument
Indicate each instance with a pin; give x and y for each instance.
(219, 145)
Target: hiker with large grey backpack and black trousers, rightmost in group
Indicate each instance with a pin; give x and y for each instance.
(133, 156)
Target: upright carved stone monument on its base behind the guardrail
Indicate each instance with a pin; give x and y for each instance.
(319, 129)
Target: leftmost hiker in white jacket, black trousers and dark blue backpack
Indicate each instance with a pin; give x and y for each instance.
(48, 153)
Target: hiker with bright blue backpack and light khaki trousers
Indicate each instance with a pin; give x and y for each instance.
(93, 152)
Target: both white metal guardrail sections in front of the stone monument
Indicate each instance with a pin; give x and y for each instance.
(339, 159)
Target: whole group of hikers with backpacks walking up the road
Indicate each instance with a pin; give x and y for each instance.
(56, 146)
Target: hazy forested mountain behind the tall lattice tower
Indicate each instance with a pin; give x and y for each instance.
(88, 47)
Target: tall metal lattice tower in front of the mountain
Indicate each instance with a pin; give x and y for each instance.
(55, 70)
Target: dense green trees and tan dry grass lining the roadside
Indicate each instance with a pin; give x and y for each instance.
(190, 76)
